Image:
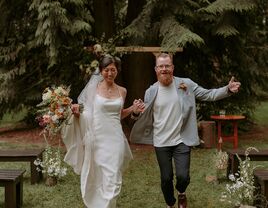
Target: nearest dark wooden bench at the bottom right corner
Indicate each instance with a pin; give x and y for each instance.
(261, 184)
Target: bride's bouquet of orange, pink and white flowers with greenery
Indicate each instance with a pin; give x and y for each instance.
(54, 109)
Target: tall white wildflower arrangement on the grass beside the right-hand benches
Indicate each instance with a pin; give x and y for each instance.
(240, 191)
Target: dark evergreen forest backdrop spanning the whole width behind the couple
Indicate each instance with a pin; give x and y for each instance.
(44, 42)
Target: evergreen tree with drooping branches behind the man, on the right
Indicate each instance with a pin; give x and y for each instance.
(215, 37)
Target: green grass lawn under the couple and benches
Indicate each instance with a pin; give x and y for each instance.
(141, 181)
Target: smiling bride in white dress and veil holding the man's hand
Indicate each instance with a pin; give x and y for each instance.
(97, 148)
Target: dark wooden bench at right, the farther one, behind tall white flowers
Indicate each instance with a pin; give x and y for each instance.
(233, 162)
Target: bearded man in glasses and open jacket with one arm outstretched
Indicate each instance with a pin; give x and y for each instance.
(169, 122)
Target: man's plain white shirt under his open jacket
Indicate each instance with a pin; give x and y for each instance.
(167, 117)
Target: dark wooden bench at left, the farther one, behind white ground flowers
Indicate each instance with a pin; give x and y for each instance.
(28, 155)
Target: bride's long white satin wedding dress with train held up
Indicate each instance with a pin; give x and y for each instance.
(98, 150)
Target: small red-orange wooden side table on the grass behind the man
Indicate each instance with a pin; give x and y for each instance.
(220, 119)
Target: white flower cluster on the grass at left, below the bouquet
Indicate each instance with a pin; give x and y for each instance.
(51, 164)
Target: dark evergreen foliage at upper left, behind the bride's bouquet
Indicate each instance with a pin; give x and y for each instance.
(41, 44)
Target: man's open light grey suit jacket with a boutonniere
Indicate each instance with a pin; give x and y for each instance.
(142, 131)
